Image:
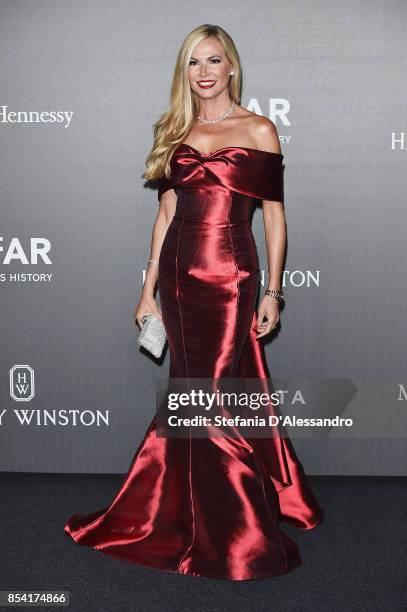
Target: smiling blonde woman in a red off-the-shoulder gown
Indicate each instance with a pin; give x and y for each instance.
(210, 506)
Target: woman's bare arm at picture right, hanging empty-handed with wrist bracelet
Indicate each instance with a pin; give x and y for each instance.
(275, 232)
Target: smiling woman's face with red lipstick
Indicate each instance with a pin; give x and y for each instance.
(209, 68)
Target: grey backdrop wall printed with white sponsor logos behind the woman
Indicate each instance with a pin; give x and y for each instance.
(81, 85)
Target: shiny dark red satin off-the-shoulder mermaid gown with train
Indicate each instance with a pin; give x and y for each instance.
(210, 506)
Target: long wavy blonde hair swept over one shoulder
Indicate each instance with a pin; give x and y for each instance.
(173, 126)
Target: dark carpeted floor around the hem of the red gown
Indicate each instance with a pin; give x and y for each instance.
(354, 561)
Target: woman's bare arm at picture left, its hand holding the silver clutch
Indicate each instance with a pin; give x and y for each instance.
(166, 211)
